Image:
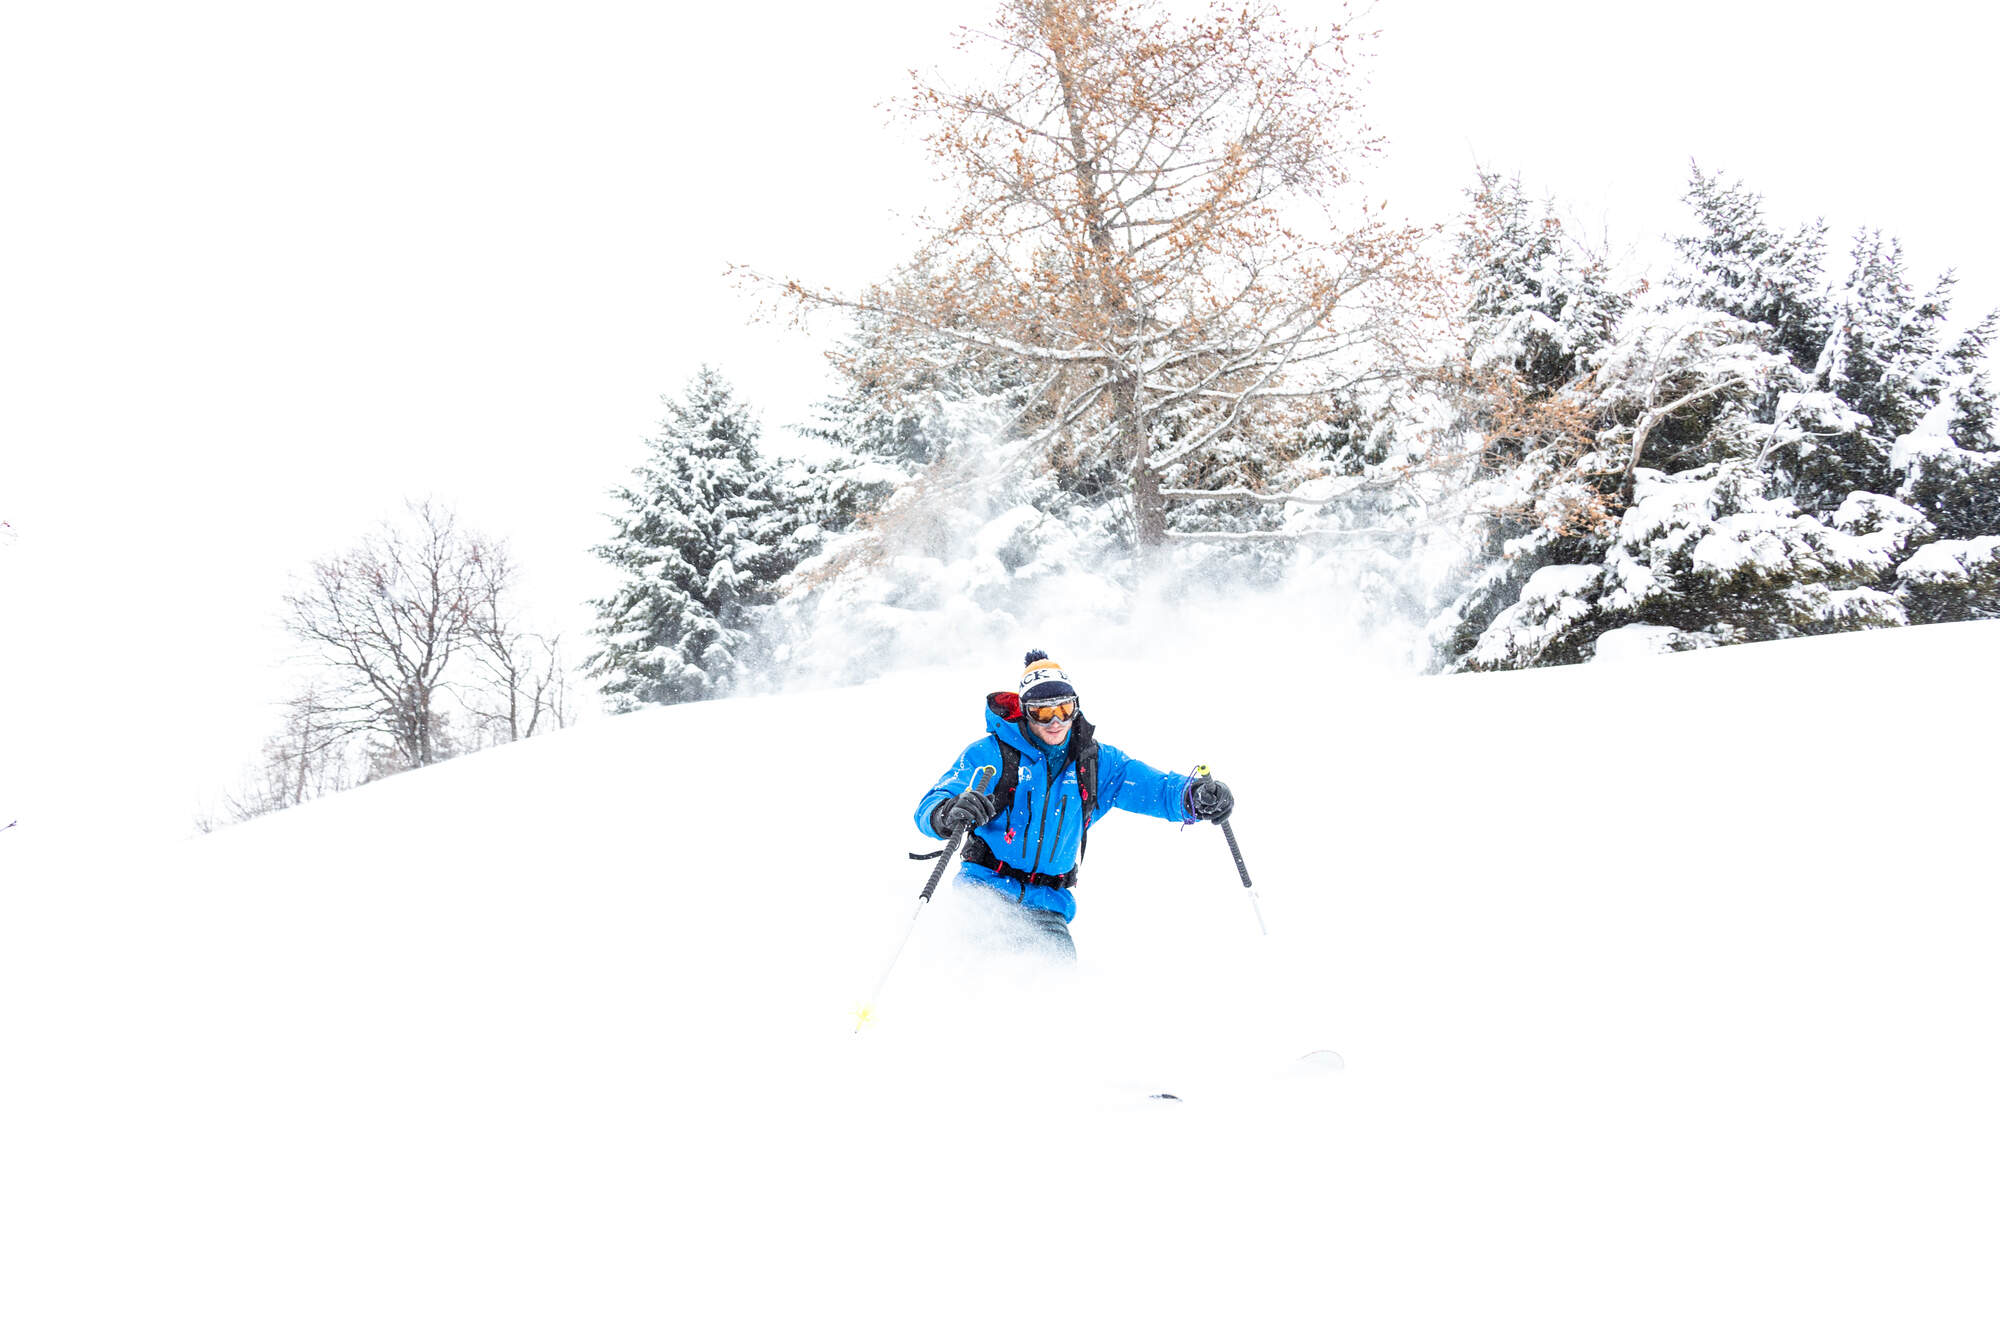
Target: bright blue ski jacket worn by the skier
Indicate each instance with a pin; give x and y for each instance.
(1043, 830)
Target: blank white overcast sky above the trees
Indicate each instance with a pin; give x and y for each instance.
(271, 269)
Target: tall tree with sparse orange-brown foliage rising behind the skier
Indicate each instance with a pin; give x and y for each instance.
(1137, 235)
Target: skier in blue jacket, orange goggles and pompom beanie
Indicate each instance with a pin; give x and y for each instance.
(1027, 834)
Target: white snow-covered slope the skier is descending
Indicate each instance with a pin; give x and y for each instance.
(1663, 1006)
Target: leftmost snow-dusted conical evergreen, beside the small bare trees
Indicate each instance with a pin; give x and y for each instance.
(707, 533)
